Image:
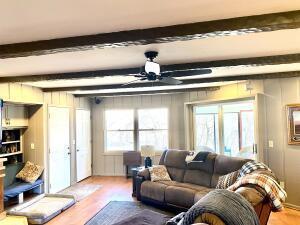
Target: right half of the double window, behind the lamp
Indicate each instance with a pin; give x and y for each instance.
(153, 128)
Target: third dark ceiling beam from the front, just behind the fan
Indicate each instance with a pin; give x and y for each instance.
(185, 82)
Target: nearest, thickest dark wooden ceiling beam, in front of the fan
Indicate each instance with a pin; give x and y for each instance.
(183, 32)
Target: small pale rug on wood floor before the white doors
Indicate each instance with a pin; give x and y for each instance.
(80, 191)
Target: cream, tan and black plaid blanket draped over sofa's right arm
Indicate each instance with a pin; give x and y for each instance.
(274, 191)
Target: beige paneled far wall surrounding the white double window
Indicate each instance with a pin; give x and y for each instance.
(112, 164)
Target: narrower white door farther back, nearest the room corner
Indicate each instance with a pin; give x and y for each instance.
(83, 144)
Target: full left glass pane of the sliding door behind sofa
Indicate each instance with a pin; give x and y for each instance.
(206, 128)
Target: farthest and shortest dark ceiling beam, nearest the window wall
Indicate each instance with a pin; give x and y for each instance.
(176, 90)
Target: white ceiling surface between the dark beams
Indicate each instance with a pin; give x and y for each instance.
(31, 20)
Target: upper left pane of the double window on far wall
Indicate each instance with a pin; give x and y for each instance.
(119, 119)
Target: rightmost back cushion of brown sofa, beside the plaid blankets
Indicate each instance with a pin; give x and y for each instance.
(225, 165)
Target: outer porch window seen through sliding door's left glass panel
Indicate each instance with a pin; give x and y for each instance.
(206, 128)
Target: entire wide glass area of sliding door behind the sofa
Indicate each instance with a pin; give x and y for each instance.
(236, 130)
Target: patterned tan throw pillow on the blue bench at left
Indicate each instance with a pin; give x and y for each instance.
(30, 173)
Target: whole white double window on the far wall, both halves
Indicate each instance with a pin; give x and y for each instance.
(127, 130)
